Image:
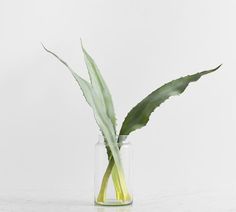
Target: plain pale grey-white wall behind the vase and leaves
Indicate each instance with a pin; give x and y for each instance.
(47, 131)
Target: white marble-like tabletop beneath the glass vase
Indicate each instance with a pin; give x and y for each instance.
(207, 200)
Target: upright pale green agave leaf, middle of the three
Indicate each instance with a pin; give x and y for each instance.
(99, 86)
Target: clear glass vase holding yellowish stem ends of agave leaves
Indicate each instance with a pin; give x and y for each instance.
(113, 186)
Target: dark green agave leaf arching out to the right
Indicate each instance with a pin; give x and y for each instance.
(138, 117)
